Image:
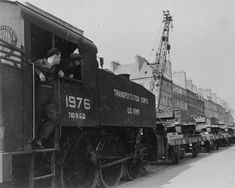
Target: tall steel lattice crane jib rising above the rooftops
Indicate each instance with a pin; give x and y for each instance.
(162, 57)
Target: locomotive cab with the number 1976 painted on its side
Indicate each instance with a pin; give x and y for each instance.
(26, 34)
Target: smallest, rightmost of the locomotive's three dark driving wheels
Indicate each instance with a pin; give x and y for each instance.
(133, 168)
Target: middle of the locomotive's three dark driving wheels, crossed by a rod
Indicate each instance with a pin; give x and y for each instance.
(111, 150)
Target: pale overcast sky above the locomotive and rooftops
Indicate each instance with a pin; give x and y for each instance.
(202, 40)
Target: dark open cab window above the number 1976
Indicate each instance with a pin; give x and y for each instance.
(43, 40)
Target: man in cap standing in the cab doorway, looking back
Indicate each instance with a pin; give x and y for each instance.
(45, 72)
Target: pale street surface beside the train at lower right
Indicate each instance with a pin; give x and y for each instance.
(213, 170)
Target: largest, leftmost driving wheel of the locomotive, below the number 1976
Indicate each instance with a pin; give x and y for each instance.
(79, 165)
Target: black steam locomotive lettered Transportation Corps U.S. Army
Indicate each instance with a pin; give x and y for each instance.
(100, 118)
